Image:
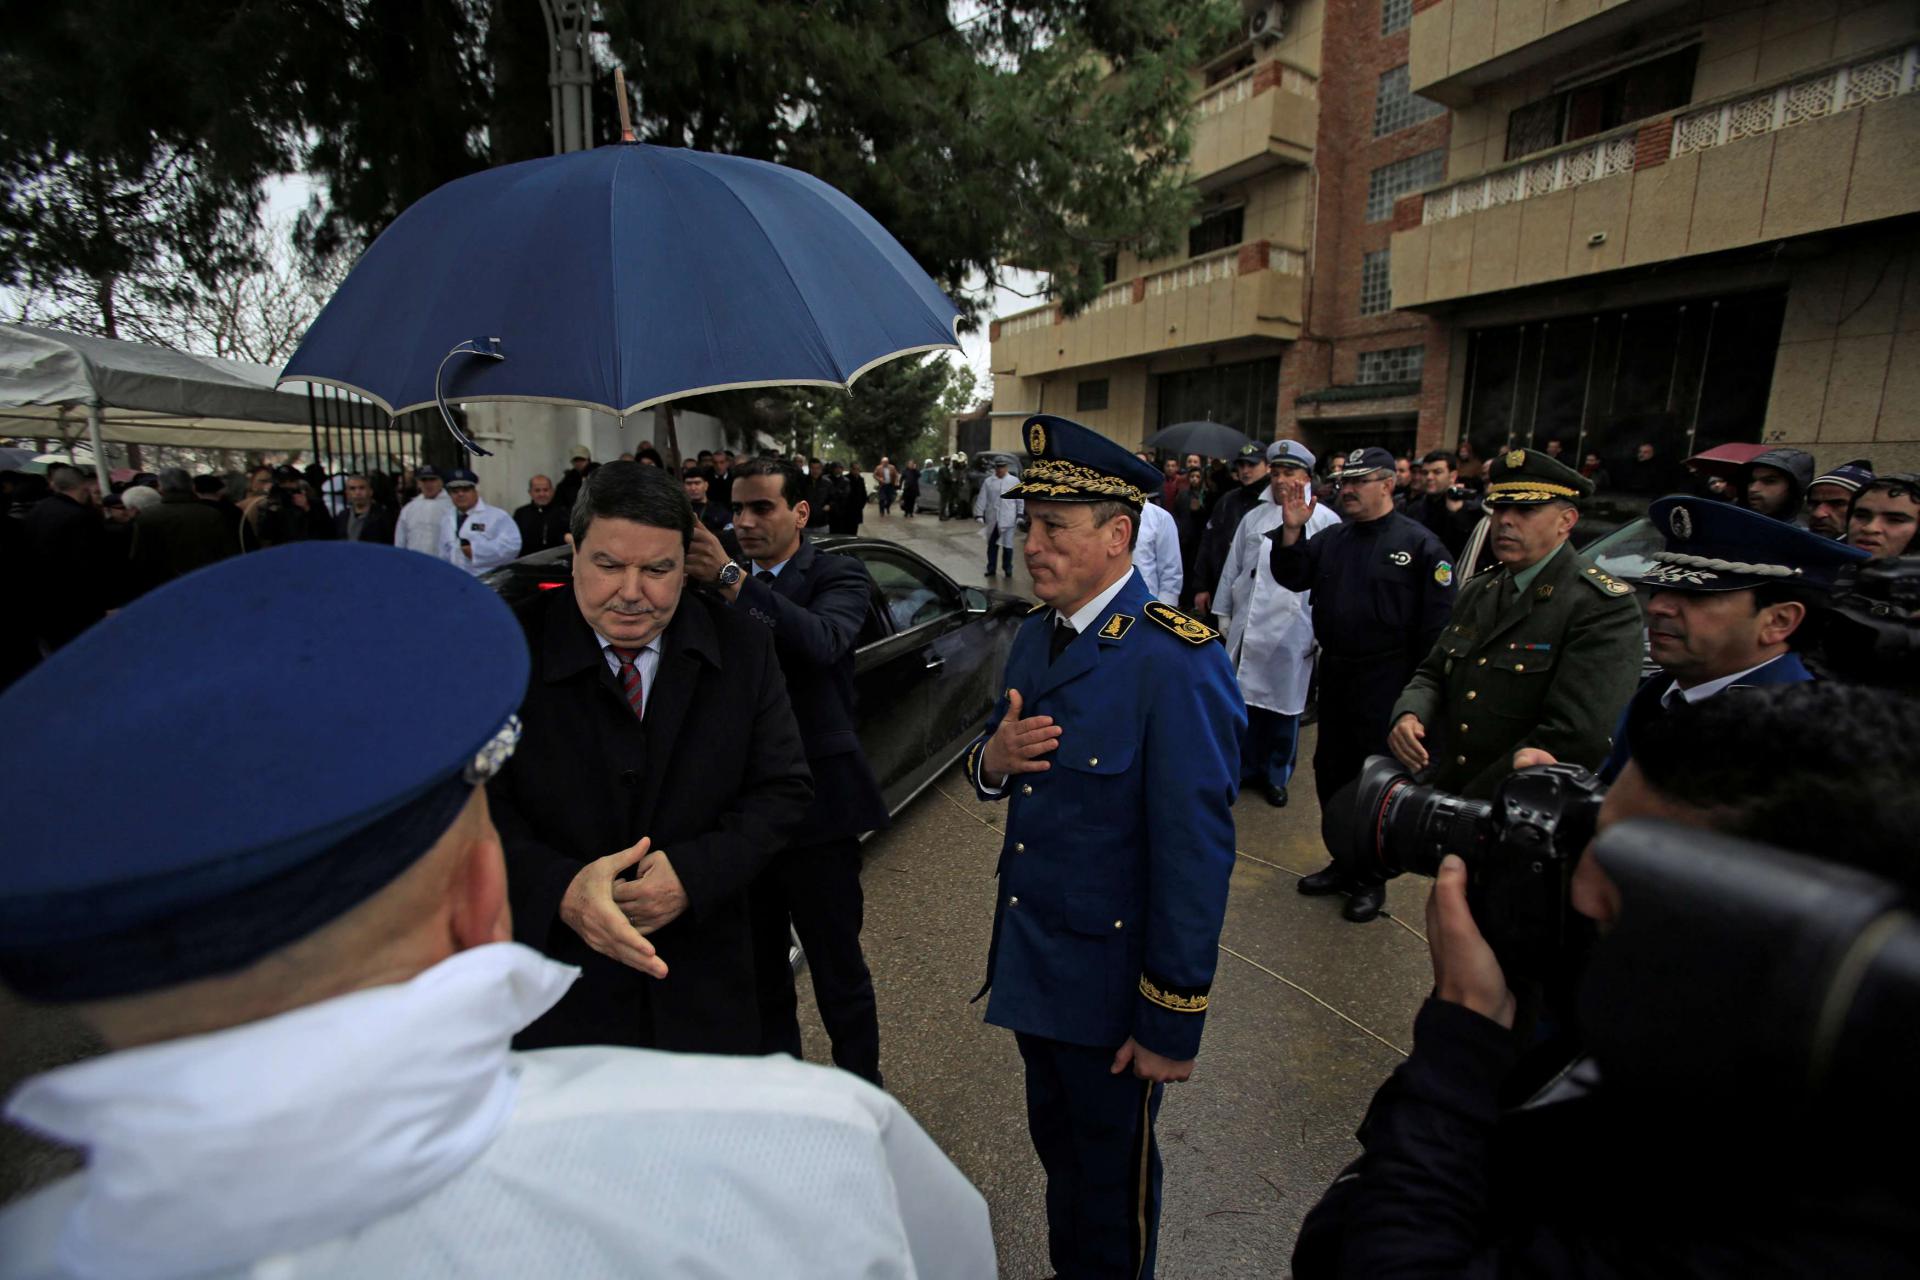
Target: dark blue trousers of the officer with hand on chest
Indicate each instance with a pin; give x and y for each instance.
(1095, 1137)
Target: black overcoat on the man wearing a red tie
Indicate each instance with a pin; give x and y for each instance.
(715, 774)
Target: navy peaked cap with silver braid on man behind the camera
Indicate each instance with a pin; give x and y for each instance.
(1716, 546)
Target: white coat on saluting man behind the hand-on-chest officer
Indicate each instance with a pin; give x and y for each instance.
(1270, 630)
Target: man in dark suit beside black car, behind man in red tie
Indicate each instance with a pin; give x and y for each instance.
(813, 605)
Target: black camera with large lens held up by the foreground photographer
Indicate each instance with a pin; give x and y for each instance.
(1520, 849)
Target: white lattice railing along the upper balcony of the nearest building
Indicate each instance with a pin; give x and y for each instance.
(1591, 160)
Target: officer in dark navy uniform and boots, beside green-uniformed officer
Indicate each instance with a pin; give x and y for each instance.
(1383, 590)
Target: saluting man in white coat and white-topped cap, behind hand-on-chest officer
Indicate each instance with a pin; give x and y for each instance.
(1270, 630)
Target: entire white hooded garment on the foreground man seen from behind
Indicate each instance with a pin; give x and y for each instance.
(391, 1133)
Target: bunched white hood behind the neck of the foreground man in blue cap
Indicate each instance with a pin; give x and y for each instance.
(270, 1137)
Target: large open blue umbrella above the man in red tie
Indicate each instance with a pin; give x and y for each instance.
(619, 279)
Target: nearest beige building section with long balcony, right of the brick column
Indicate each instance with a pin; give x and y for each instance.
(1673, 224)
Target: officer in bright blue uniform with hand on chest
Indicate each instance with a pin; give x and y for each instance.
(1118, 751)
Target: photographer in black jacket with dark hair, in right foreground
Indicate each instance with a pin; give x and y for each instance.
(1612, 1181)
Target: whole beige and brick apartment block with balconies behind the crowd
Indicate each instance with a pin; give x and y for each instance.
(1510, 222)
